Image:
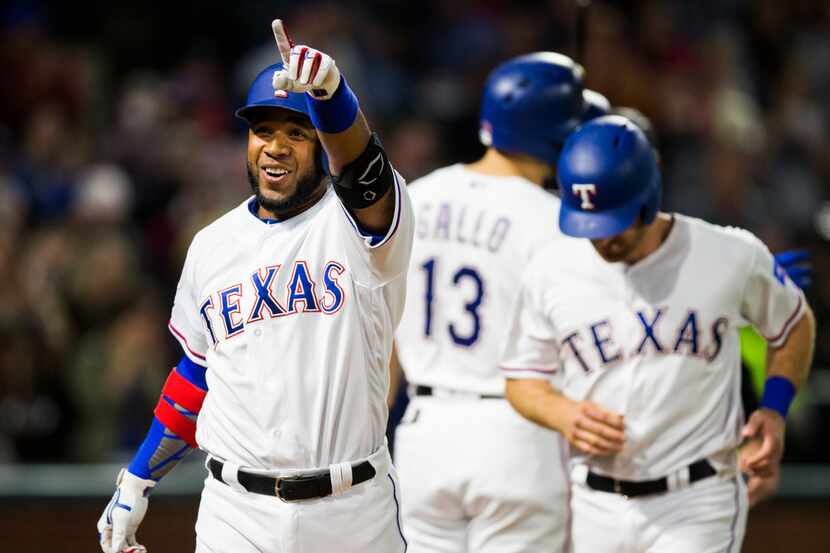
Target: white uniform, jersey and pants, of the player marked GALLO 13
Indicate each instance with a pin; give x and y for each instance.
(475, 475)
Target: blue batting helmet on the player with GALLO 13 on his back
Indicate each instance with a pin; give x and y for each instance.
(531, 103)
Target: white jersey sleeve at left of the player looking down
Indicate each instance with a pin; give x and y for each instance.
(532, 349)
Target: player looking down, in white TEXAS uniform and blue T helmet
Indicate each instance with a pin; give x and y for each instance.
(627, 344)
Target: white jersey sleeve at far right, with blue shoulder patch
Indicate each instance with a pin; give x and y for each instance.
(771, 302)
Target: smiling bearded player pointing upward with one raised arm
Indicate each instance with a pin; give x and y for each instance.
(285, 311)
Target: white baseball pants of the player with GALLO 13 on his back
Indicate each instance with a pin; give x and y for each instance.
(478, 477)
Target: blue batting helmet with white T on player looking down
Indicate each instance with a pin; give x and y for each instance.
(609, 176)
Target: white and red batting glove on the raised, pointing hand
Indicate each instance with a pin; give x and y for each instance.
(306, 69)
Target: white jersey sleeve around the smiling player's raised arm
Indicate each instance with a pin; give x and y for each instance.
(384, 256)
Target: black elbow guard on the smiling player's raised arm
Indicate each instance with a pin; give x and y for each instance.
(365, 180)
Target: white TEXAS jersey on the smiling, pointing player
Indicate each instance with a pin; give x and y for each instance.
(293, 321)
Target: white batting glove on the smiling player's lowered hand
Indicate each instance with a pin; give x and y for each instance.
(125, 511)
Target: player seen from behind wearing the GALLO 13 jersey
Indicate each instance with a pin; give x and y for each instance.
(475, 475)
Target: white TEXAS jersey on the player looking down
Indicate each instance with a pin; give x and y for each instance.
(656, 341)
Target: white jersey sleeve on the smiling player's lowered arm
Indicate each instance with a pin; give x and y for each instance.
(185, 320)
